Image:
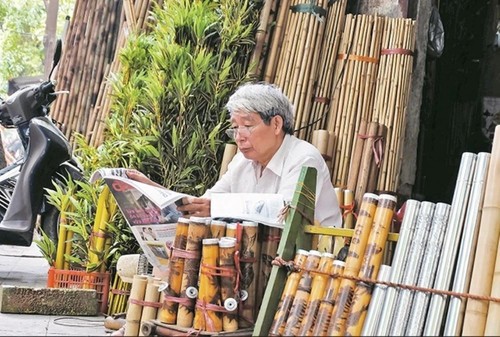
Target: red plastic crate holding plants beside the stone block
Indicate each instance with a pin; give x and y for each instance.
(80, 279)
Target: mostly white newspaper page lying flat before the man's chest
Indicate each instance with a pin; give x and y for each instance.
(265, 208)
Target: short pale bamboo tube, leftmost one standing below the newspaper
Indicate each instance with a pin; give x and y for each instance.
(134, 311)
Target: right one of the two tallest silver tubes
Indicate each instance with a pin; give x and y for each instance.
(453, 324)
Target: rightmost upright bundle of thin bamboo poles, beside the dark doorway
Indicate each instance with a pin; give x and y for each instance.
(392, 92)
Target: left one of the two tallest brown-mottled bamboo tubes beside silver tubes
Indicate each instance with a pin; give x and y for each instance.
(353, 264)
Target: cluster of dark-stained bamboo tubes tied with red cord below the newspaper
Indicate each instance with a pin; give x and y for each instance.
(215, 274)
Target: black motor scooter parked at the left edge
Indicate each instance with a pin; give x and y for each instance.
(48, 159)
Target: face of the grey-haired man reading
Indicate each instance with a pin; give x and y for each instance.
(255, 139)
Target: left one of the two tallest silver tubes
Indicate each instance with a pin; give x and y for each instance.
(450, 243)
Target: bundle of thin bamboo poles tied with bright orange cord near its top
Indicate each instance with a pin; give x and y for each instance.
(353, 96)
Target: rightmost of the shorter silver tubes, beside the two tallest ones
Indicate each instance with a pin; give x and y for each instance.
(427, 274)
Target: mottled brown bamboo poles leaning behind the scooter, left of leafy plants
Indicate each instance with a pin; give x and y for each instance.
(95, 36)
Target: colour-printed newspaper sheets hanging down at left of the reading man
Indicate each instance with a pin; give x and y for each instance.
(150, 211)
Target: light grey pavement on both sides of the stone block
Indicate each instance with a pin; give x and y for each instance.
(25, 266)
